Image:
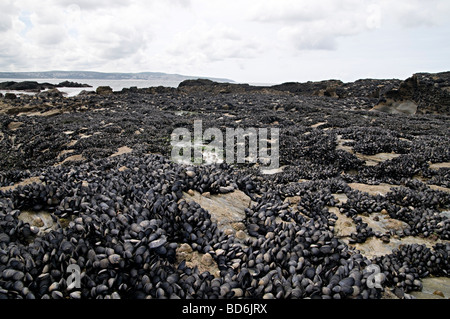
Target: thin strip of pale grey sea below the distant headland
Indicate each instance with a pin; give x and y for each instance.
(116, 85)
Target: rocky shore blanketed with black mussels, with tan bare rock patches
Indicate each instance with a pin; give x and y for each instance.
(359, 208)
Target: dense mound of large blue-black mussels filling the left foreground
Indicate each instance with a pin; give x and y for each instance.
(122, 228)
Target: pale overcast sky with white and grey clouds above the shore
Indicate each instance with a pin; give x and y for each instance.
(249, 41)
